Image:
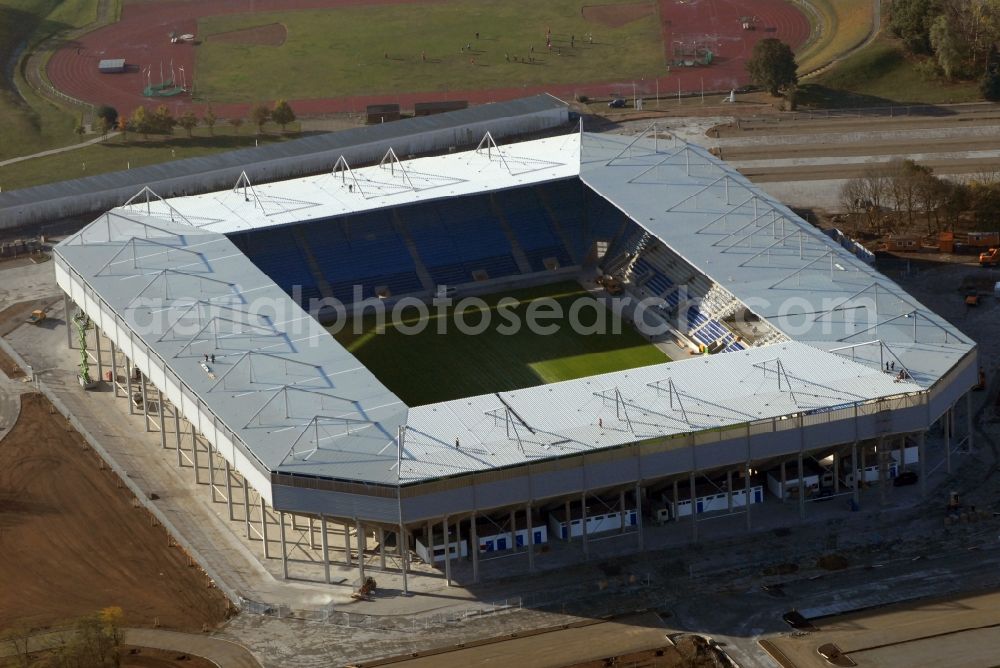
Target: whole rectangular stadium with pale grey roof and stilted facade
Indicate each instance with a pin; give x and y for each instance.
(745, 347)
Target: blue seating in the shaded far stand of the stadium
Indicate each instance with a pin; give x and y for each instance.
(454, 238)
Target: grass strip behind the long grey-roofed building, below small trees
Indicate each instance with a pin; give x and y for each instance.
(117, 154)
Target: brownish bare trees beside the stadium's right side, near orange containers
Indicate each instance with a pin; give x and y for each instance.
(905, 197)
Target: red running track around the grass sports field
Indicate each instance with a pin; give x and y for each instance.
(141, 37)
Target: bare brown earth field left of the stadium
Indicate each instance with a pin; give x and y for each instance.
(73, 542)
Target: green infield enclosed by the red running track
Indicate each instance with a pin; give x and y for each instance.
(354, 43)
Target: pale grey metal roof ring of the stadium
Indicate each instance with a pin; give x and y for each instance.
(297, 402)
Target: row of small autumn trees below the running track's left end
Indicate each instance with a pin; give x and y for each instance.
(161, 121)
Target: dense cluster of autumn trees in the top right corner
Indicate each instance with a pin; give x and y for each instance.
(957, 35)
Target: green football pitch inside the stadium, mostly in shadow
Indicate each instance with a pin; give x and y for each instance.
(427, 367)
